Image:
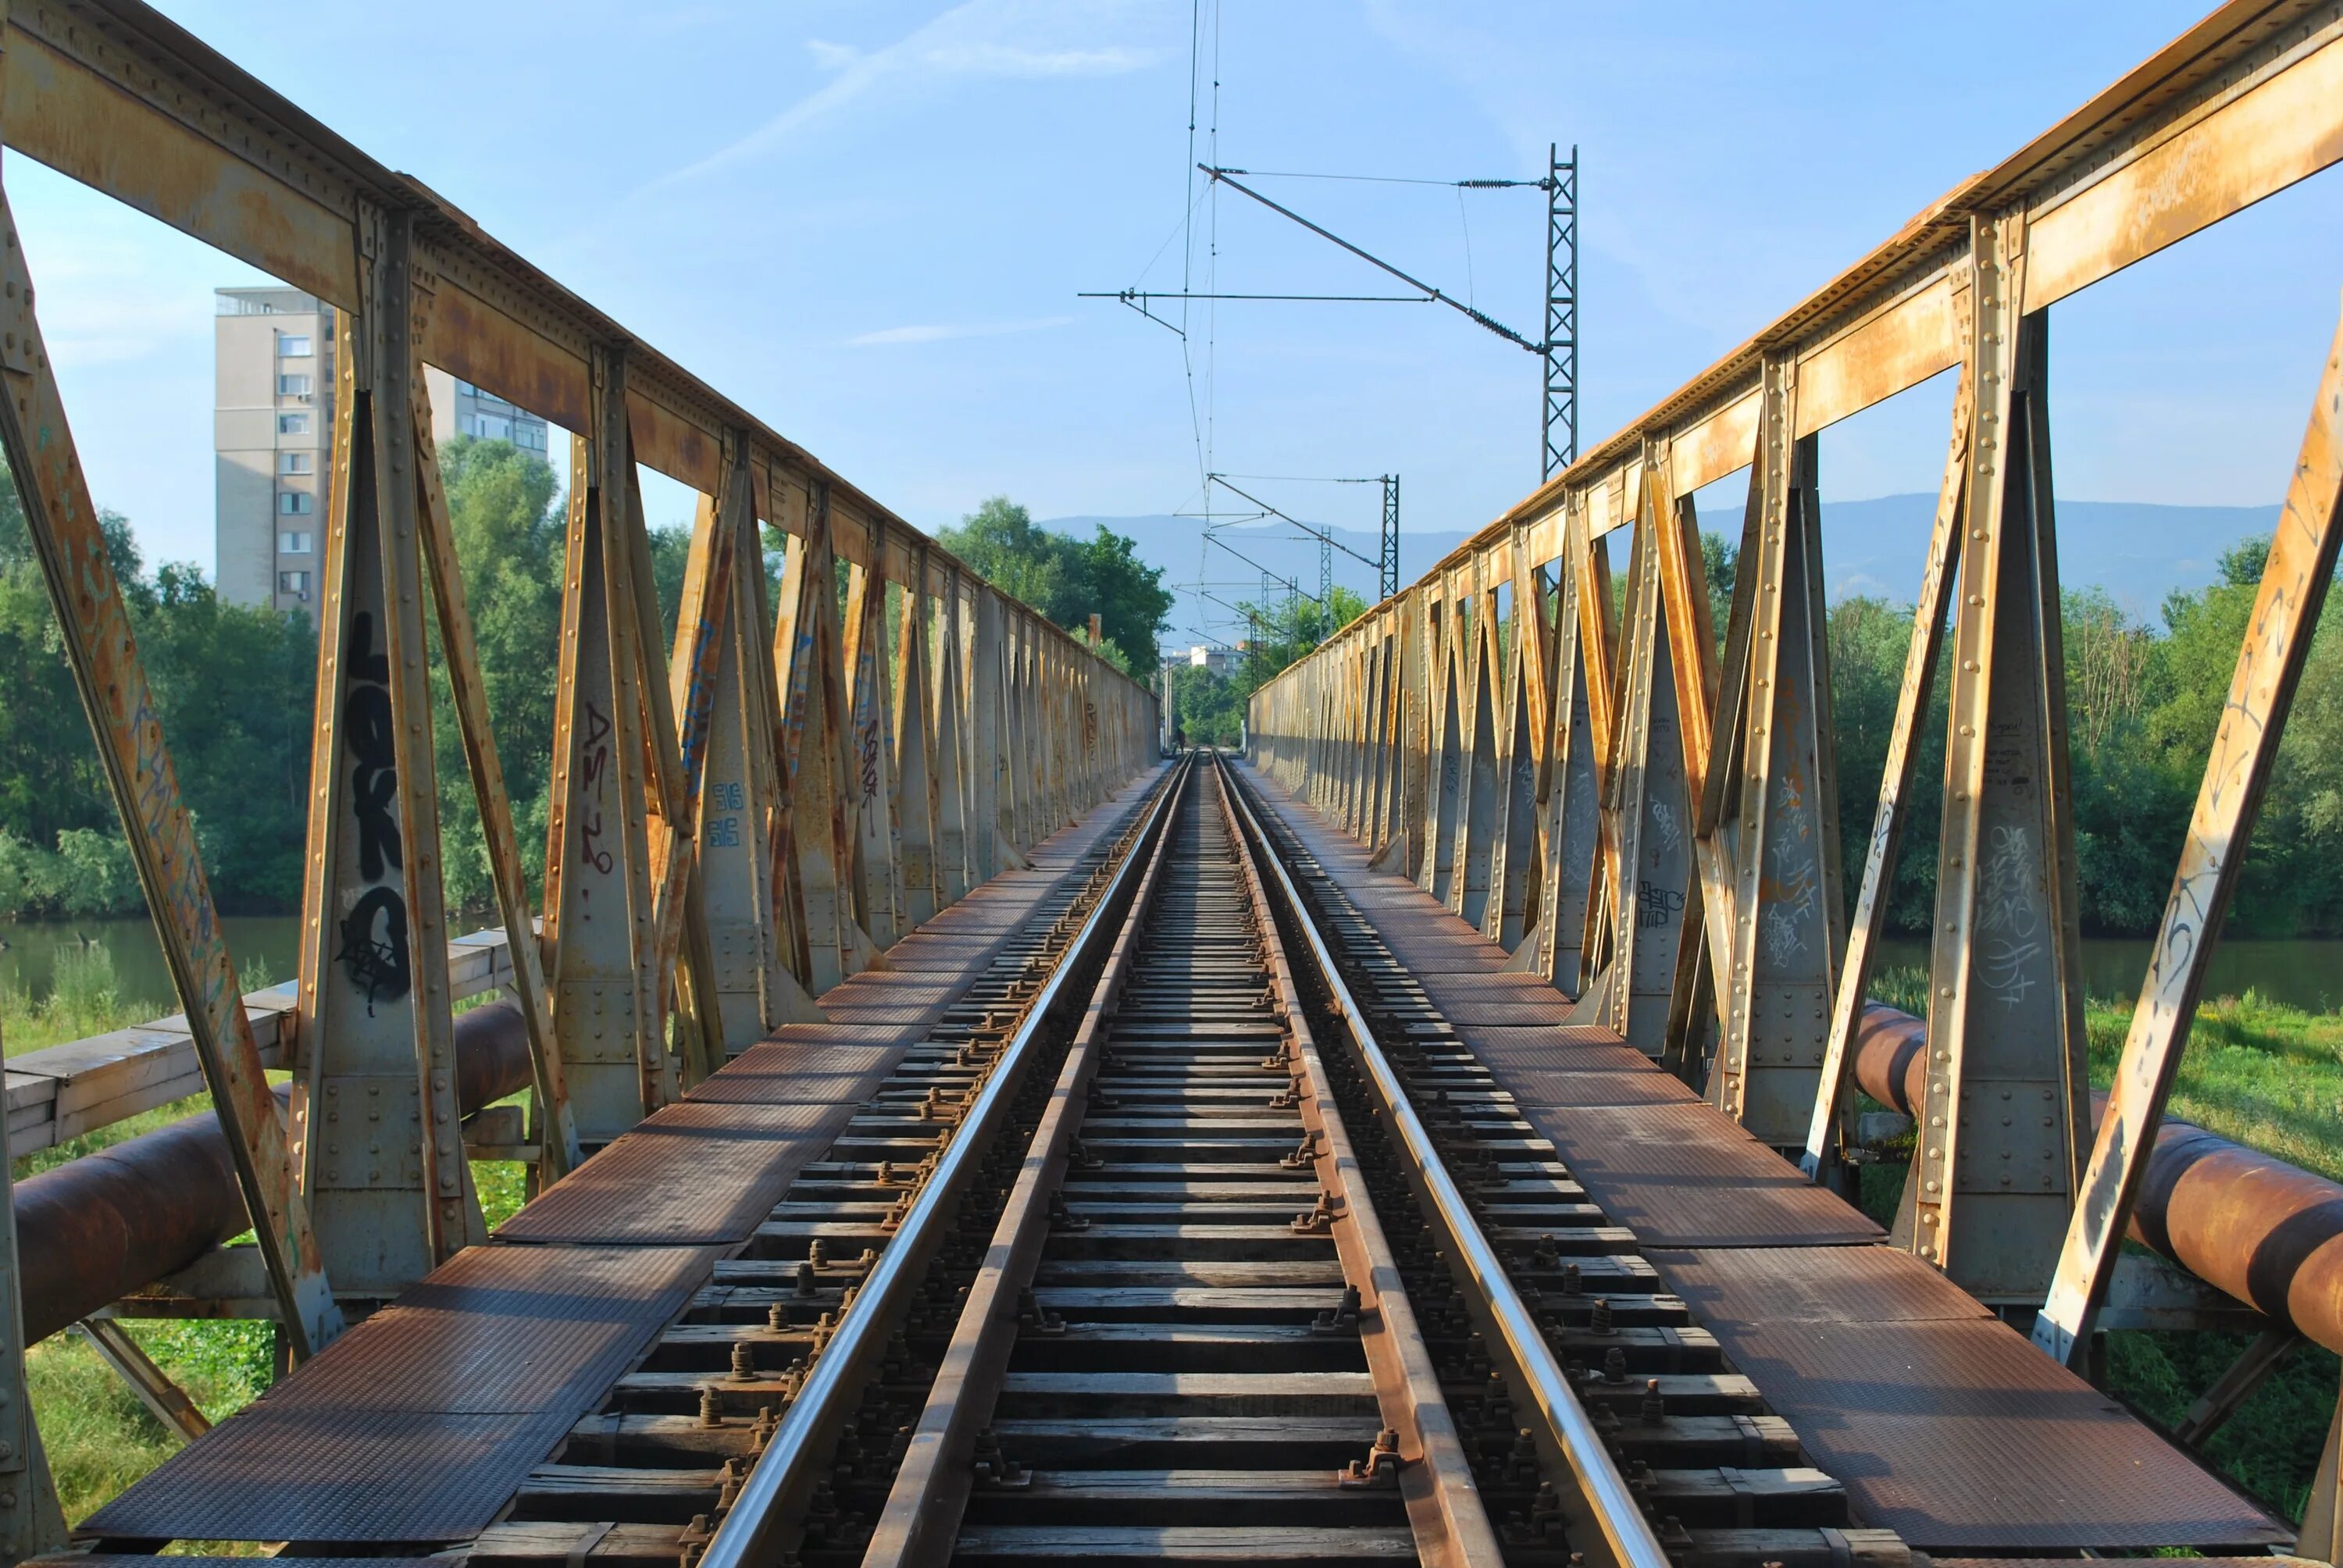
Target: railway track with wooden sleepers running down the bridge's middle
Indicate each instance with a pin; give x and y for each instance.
(1154, 1255)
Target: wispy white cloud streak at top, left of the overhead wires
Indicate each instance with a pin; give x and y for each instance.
(978, 39)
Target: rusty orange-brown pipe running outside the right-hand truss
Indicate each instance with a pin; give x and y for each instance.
(2241, 1220)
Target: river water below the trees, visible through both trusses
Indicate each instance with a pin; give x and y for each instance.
(2297, 974)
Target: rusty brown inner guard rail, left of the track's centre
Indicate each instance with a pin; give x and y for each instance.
(924, 1506)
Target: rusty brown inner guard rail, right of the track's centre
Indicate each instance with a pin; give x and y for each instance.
(1444, 1499)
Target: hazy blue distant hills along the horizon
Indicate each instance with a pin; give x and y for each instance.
(2138, 552)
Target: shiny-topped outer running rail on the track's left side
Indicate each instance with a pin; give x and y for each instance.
(800, 1443)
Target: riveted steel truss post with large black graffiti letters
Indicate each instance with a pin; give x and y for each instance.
(376, 1103)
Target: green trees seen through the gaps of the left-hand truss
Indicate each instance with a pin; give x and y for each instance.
(235, 695)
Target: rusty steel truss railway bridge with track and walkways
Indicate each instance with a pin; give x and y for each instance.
(964, 1131)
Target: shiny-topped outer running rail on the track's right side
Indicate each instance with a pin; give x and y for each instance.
(1613, 1508)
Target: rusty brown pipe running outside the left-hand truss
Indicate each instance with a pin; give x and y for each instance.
(111, 1222)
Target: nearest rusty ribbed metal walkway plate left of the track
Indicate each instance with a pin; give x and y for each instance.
(421, 1422)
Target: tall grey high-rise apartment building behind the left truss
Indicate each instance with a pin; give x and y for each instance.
(273, 439)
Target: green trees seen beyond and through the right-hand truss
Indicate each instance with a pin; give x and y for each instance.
(2145, 700)
